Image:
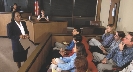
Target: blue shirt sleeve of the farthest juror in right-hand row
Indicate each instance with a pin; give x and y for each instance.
(107, 39)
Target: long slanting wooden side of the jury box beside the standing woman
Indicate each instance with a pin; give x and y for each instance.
(38, 56)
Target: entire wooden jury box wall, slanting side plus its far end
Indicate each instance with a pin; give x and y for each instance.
(40, 55)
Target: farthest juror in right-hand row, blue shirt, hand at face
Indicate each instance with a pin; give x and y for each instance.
(107, 38)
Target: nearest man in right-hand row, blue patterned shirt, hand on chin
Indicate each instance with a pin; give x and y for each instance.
(119, 56)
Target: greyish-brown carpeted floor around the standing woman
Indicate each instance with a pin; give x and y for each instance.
(6, 56)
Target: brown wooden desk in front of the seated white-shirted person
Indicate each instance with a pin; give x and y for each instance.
(37, 29)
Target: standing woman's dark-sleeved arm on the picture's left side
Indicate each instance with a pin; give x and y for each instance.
(10, 32)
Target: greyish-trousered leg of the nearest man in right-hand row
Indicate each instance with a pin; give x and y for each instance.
(101, 67)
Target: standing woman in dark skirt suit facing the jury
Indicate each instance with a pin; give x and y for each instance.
(17, 30)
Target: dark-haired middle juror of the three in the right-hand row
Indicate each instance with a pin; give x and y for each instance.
(118, 38)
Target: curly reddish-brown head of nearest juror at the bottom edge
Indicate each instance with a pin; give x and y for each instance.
(81, 64)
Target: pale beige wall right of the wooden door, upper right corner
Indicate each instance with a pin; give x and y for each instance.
(125, 16)
